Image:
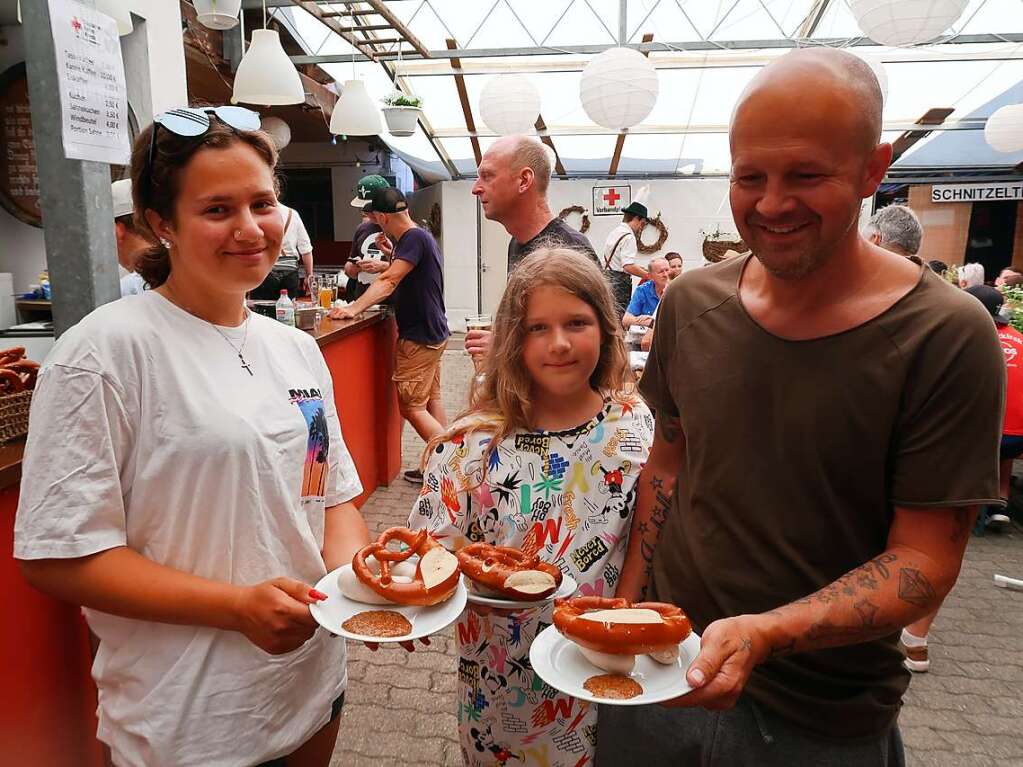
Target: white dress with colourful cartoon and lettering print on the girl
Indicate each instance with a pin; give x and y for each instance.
(568, 497)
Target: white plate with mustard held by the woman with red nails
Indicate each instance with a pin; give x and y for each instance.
(426, 621)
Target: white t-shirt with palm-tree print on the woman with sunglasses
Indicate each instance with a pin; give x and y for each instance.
(148, 433)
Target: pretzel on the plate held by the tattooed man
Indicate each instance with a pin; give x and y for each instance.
(619, 638)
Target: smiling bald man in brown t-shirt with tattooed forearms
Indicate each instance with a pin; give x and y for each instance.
(808, 493)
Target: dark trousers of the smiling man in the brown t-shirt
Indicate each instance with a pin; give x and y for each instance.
(655, 737)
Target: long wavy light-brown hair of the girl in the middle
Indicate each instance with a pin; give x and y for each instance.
(503, 403)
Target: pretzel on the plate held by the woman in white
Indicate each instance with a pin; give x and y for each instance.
(436, 575)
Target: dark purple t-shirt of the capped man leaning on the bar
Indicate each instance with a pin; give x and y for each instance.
(419, 300)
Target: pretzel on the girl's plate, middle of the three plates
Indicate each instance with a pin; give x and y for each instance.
(509, 572)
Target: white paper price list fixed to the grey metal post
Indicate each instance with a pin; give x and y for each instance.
(92, 78)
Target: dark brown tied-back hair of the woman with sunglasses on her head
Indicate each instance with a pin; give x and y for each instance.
(155, 182)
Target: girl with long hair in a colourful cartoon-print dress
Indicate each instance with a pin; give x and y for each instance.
(546, 460)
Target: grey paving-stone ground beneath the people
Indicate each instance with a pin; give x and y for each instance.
(965, 712)
